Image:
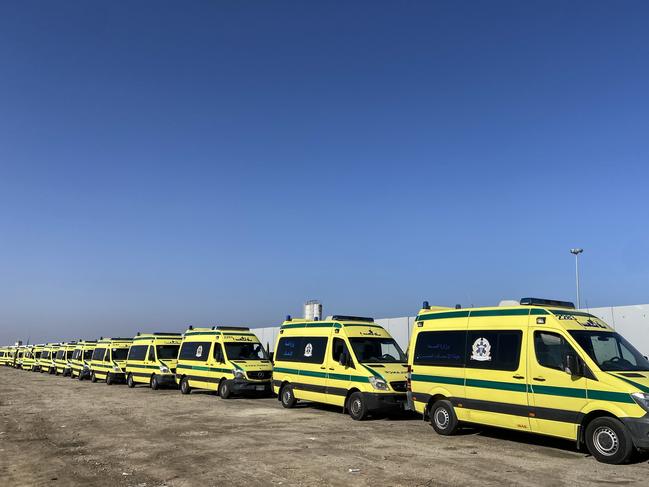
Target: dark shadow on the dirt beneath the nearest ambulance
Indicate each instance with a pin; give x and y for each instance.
(555, 447)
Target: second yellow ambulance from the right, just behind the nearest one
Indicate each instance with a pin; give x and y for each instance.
(347, 361)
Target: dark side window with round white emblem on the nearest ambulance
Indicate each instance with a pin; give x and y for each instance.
(496, 350)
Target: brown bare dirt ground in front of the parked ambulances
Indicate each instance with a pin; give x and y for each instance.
(59, 431)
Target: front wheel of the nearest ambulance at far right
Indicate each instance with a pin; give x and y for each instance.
(609, 441)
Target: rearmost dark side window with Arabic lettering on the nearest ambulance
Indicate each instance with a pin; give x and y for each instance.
(445, 348)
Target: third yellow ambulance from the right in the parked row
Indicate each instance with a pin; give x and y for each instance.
(226, 359)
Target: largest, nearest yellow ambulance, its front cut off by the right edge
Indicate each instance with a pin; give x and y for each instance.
(540, 366)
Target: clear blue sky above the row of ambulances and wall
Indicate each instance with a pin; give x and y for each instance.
(166, 163)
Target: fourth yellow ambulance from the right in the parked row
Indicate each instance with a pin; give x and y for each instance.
(152, 359)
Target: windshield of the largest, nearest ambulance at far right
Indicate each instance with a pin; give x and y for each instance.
(610, 351)
